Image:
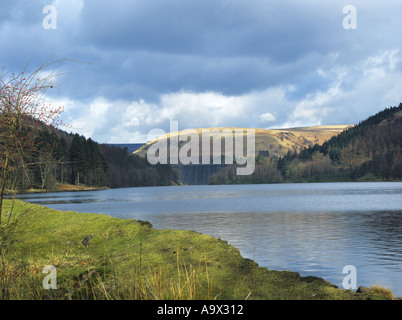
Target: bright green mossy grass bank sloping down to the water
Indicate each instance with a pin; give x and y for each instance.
(128, 259)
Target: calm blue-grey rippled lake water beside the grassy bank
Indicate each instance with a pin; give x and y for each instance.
(313, 229)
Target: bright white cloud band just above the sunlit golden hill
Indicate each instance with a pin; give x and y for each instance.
(105, 120)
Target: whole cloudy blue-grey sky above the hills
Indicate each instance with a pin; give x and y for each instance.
(140, 64)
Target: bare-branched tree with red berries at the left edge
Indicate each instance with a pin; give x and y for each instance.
(23, 112)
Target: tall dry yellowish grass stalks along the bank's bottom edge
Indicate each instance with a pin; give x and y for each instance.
(20, 280)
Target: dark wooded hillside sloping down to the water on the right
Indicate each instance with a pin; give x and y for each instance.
(369, 151)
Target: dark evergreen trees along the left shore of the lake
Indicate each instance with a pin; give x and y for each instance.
(62, 158)
